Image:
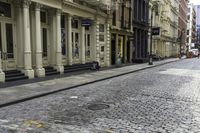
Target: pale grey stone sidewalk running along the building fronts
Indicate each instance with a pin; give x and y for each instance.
(20, 93)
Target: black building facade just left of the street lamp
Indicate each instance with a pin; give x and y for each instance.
(140, 29)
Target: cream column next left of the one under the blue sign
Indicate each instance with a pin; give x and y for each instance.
(69, 38)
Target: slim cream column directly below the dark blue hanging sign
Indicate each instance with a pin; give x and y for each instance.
(83, 45)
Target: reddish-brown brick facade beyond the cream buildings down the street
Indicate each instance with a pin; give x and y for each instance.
(183, 23)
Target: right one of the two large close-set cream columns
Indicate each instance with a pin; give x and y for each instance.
(40, 72)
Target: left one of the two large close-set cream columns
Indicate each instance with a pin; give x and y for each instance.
(26, 40)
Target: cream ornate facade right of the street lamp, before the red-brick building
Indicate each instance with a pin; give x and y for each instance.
(165, 16)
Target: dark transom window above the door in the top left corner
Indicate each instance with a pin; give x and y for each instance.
(5, 9)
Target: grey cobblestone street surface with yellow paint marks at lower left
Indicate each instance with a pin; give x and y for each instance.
(164, 99)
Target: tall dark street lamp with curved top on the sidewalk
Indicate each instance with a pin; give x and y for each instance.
(154, 7)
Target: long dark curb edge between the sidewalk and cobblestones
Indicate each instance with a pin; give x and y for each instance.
(63, 89)
